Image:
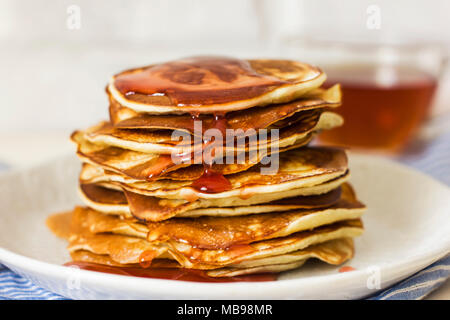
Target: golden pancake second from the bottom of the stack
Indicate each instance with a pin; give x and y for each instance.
(126, 249)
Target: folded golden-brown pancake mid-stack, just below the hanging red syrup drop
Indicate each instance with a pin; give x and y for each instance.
(147, 208)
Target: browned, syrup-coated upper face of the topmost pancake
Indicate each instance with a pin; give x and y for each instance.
(198, 81)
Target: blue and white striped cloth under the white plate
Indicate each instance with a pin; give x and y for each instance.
(435, 162)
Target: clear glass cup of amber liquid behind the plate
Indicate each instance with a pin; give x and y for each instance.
(388, 90)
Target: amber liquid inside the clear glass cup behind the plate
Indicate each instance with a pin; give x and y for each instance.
(383, 107)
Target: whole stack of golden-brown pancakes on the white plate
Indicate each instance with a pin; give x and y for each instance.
(149, 204)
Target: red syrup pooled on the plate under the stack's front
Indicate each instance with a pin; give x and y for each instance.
(170, 274)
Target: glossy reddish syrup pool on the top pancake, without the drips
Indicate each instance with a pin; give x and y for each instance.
(198, 81)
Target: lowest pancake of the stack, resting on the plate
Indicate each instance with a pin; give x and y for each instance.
(332, 252)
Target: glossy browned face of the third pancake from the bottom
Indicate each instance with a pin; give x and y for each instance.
(225, 232)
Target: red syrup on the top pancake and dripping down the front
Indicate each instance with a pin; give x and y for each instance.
(196, 81)
